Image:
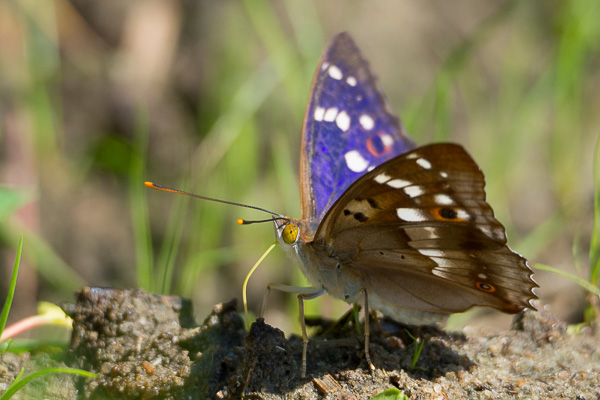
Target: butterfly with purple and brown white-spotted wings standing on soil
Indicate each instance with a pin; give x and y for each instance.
(406, 227)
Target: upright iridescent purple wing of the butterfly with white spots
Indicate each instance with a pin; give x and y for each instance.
(348, 129)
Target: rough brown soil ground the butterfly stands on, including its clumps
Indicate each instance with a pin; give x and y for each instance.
(148, 346)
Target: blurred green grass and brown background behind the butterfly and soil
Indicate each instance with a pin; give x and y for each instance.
(209, 96)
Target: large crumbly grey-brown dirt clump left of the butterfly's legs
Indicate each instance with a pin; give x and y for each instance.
(148, 346)
